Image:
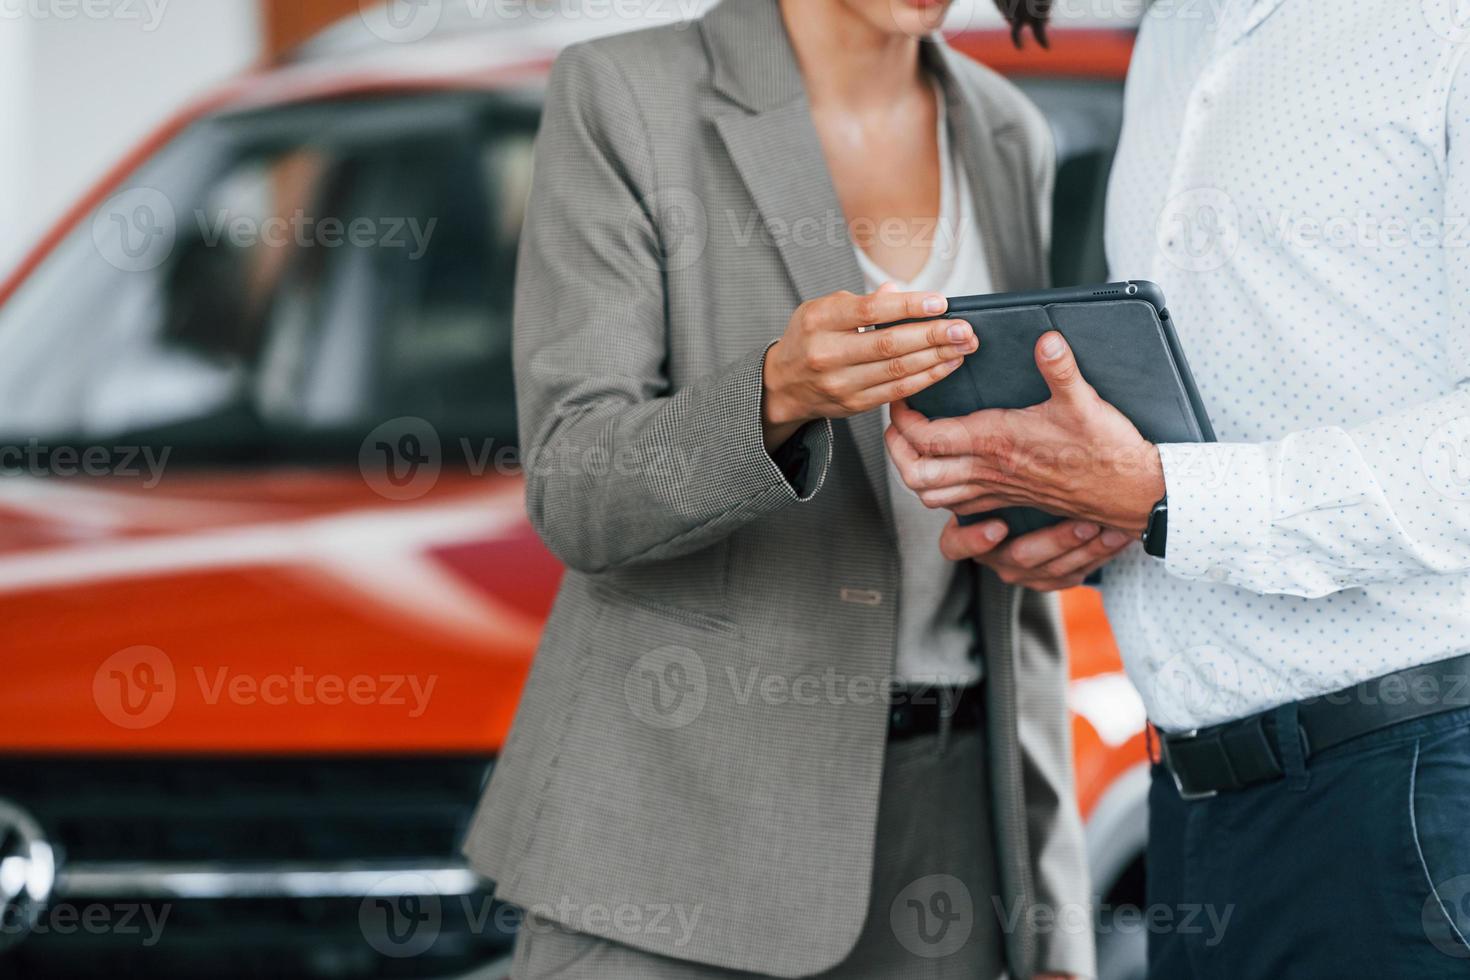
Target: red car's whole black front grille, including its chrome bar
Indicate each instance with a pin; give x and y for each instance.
(255, 866)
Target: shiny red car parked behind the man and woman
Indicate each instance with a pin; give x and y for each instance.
(268, 588)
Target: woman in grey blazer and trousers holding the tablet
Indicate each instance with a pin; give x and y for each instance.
(770, 731)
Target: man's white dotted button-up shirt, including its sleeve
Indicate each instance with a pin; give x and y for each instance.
(1297, 179)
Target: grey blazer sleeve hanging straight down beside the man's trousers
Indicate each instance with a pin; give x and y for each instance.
(1055, 825)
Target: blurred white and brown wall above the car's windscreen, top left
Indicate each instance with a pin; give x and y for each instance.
(83, 82)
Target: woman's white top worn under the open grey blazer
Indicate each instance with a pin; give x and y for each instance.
(936, 635)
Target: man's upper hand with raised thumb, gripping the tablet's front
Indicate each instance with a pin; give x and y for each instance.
(1074, 455)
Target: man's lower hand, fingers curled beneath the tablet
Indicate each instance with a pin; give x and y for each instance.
(1047, 561)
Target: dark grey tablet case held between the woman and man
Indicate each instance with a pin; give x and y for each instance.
(1127, 349)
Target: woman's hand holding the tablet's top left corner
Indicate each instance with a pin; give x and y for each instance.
(822, 368)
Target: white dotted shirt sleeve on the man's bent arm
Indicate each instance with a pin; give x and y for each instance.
(1343, 508)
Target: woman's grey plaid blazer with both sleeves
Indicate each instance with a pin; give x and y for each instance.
(703, 729)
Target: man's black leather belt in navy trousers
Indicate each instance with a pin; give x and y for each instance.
(1244, 753)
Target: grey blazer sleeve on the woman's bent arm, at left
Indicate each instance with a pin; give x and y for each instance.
(621, 466)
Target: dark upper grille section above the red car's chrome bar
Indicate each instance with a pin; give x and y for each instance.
(248, 810)
